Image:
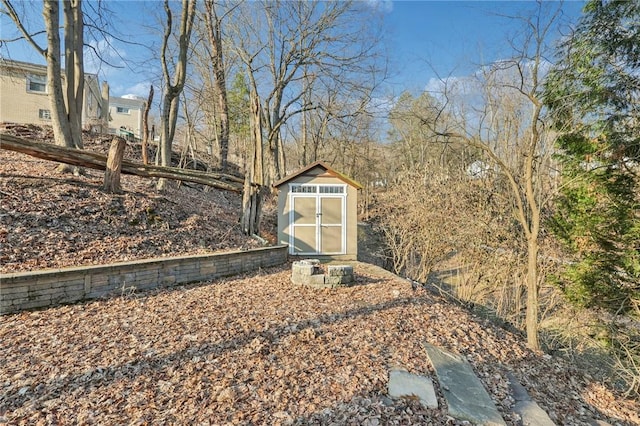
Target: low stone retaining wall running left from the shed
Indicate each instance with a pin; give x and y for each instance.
(39, 289)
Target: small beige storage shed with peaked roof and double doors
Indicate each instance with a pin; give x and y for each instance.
(317, 213)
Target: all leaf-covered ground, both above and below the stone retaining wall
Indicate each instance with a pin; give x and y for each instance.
(247, 350)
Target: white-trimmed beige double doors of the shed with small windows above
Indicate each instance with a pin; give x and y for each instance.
(317, 220)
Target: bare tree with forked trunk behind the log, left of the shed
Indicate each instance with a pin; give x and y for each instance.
(173, 86)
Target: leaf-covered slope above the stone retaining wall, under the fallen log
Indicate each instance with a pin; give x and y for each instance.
(51, 220)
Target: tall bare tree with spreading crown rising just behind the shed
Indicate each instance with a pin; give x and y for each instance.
(284, 44)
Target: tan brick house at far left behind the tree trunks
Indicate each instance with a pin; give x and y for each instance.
(24, 95)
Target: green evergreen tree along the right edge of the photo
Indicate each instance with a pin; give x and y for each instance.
(594, 91)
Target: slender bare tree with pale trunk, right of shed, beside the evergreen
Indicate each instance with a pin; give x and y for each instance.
(508, 126)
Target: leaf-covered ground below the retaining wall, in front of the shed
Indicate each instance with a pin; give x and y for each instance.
(257, 350)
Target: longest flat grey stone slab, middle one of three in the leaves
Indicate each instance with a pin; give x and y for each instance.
(465, 395)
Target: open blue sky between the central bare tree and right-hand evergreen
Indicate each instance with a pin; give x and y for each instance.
(433, 39)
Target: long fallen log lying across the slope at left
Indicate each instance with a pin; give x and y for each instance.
(93, 160)
